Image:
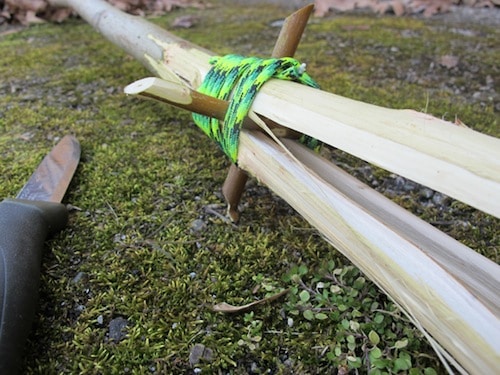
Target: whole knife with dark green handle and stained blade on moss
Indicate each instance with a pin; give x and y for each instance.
(25, 223)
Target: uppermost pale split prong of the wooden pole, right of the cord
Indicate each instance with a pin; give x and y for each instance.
(455, 160)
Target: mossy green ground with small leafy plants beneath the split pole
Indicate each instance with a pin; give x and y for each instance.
(145, 243)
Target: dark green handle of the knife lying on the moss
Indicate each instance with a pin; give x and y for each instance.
(24, 226)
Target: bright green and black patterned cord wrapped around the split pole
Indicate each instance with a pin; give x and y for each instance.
(238, 79)
